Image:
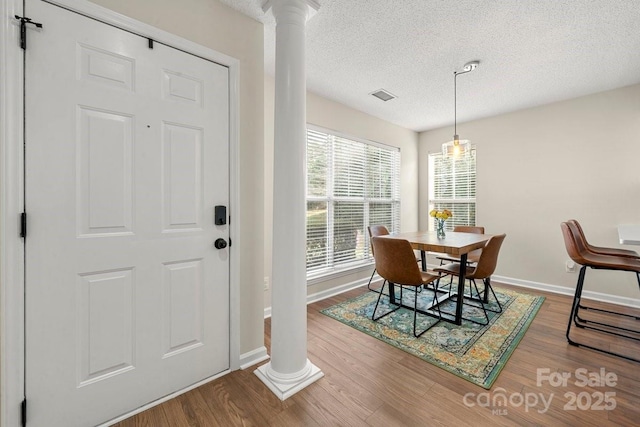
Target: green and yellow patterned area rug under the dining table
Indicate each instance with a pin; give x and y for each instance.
(471, 351)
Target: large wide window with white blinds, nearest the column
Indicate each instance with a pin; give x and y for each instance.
(351, 184)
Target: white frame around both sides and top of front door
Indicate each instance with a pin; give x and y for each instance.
(12, 256)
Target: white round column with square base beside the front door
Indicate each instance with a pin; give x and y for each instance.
(289, 369)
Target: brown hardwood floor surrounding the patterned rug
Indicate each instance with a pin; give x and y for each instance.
(370, 383)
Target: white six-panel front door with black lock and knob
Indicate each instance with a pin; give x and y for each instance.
(127, 299)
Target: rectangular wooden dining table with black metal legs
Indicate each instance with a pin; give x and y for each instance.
(455, 244)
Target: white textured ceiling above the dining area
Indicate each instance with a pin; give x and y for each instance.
(531, 52)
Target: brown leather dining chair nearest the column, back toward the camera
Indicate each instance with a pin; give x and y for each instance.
(395, 263)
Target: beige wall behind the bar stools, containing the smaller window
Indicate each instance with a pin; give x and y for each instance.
(541, 166)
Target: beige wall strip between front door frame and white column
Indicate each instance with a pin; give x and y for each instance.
(218, 27)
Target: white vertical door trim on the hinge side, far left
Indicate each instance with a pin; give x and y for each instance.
(11, 203)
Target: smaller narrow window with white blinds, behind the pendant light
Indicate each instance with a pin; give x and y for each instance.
(452, 185)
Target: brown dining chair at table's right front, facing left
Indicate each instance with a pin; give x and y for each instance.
(482, 270)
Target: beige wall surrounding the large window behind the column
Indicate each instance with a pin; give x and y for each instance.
(334, 116)
